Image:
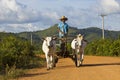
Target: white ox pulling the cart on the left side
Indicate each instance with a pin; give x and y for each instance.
(49, 48)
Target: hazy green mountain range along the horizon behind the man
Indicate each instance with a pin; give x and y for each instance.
(90, 34)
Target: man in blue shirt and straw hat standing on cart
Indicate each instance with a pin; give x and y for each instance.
(63, 32)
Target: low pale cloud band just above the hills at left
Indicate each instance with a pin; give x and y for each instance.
(19, 27)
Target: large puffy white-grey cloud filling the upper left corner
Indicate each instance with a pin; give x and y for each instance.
(14, 12)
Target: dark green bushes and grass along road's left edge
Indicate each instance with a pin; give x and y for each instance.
(16, 54)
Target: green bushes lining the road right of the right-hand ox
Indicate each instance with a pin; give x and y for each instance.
(105, 47)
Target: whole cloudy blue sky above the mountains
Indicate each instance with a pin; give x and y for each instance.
(33, 15)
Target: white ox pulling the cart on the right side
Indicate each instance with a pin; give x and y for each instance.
(78, 45)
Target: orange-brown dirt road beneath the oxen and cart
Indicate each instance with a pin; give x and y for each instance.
(94, 68)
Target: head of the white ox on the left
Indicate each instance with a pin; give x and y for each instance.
(49, 41)
